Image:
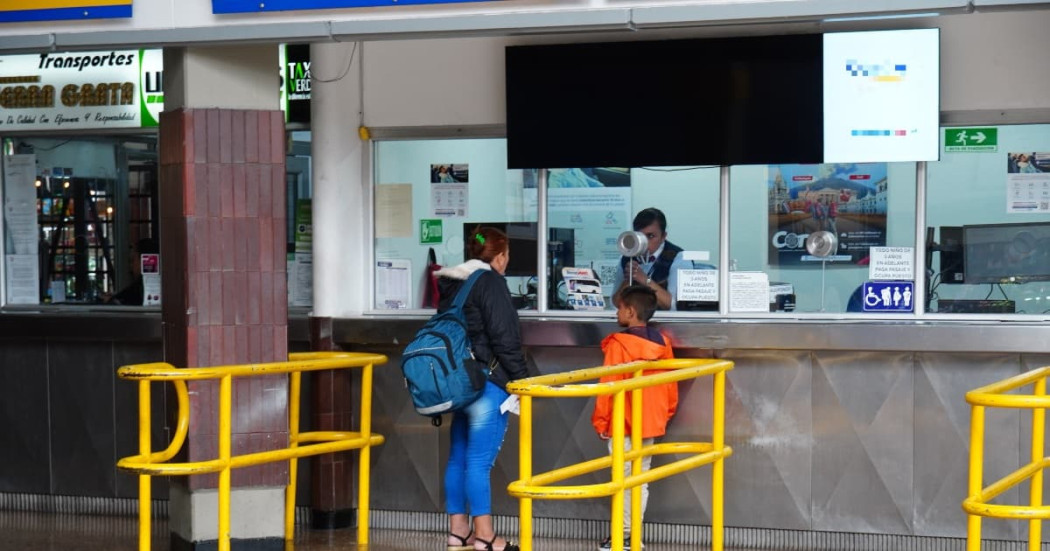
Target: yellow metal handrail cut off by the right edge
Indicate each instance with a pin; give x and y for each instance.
(977, 505)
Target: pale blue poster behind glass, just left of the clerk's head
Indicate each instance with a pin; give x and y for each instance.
(596, 203)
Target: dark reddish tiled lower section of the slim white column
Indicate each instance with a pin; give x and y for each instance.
(332, 504)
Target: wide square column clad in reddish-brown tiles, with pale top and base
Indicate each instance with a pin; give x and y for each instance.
(223, 247)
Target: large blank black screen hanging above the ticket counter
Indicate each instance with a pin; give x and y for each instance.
(724, 101)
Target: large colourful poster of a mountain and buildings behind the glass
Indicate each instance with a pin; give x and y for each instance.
(848, 200)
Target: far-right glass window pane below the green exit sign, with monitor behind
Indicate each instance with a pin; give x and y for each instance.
(989, 206)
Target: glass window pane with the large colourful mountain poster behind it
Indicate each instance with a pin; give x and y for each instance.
(775, 210)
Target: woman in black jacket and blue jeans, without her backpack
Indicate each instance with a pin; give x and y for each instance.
(478, 430)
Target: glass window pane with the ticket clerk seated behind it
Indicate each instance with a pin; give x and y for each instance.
(598, 205)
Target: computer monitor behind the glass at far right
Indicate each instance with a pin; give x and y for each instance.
(1007, 253)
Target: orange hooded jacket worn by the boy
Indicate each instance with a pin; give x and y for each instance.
(659, 404)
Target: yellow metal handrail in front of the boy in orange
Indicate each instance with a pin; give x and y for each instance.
(570, 385)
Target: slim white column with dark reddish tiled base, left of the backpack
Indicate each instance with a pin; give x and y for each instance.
(342, 207)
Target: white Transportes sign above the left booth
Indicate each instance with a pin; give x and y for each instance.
(81, 91)
